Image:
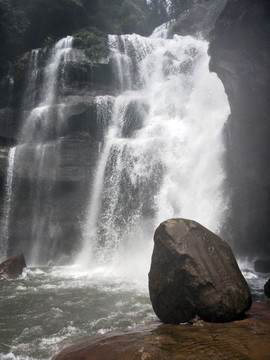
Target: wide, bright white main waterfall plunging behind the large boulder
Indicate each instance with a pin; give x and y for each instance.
(162, 153)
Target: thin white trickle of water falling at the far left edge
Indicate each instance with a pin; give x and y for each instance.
(7, 206)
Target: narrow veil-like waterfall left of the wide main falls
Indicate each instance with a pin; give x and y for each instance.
(41, 126)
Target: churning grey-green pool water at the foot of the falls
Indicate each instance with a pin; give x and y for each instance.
(50, 308)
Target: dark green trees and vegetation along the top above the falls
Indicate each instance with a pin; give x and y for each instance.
(28, 24)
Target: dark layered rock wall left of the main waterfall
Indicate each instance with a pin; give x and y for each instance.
(54, 169)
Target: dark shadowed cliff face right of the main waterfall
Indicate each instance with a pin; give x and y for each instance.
(240, 53)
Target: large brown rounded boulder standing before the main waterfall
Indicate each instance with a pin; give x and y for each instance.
(194, 272)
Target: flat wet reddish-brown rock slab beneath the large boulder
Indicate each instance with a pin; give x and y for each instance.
(239, 340)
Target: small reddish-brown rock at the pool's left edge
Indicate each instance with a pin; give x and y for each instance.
(12, 268)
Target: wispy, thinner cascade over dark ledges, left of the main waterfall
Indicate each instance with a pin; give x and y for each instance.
(38, 153)
